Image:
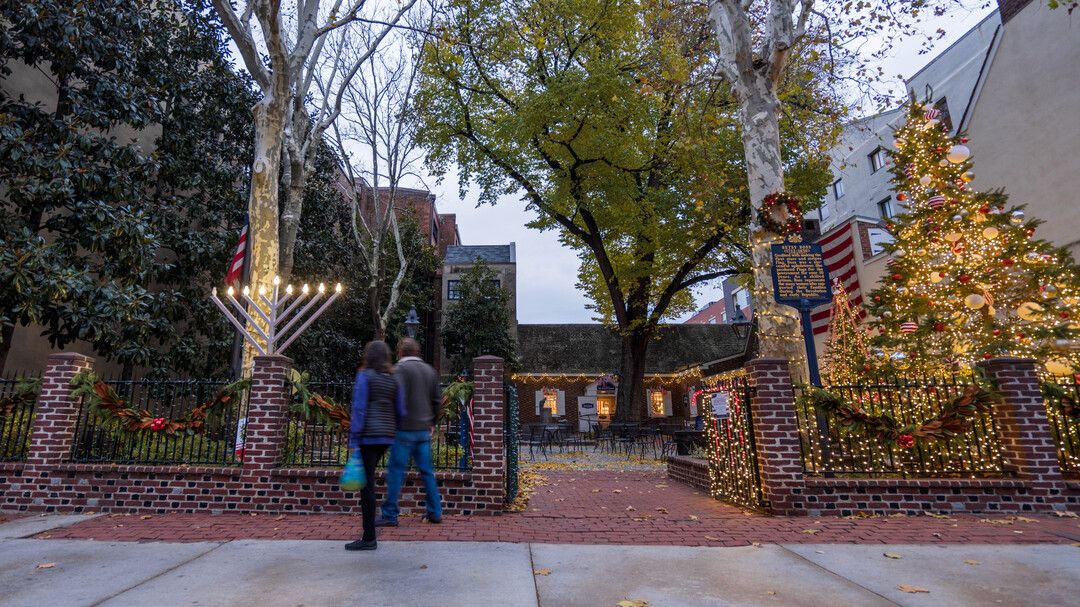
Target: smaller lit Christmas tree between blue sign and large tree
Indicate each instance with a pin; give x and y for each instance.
(847, 355)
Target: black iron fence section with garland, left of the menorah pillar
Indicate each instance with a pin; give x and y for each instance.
(101, 442)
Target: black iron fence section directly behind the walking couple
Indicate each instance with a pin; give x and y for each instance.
(309, 443)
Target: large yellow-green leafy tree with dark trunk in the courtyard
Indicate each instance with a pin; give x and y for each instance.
(610, 122)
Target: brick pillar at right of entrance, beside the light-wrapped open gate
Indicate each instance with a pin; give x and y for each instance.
(777, 436)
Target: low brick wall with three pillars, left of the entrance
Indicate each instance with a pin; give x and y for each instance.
(49, 482)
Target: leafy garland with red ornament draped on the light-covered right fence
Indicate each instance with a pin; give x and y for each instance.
(955, 417)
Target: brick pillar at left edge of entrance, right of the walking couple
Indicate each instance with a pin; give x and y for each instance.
(490, 451)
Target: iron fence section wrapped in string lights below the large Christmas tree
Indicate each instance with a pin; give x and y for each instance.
(835, 451)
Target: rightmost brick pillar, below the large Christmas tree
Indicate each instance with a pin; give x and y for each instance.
(1024, 433)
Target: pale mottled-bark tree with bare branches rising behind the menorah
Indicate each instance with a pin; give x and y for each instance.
(286, 46)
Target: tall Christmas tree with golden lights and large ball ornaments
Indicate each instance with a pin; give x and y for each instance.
(968, 280)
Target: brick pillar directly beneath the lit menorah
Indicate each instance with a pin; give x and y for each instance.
(267, 413)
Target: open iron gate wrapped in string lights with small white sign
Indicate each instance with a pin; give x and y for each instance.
(730, 442)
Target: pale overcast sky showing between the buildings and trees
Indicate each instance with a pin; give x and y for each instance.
(547, 273)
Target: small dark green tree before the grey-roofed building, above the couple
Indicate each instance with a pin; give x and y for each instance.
(479, 323)
